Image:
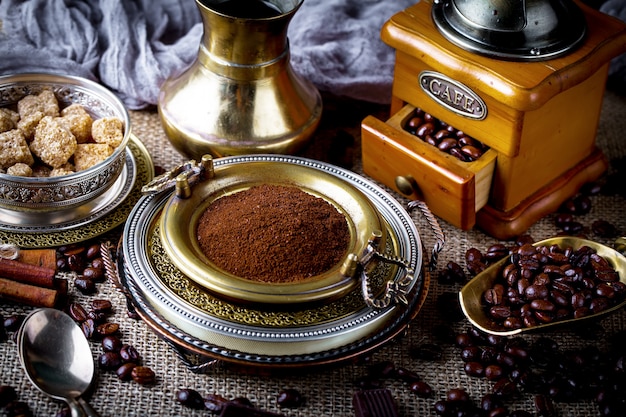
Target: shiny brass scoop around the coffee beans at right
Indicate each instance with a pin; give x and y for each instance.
(471, 295)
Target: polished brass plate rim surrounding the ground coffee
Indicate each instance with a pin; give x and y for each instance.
(181, 215)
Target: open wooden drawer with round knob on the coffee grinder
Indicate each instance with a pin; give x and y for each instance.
(454, 190)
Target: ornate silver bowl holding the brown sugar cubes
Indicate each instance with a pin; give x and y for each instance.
(67, 191)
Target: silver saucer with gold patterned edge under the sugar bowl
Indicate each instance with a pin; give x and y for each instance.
(38, 230)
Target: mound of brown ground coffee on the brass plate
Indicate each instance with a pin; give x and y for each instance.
(273, 233)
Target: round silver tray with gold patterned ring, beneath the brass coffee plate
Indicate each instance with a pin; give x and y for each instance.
(201, 325)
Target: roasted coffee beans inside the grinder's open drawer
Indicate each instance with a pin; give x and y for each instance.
(444, 137)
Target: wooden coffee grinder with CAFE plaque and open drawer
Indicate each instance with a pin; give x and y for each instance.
(525, 78)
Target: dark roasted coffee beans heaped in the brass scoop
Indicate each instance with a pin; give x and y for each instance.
(545, 284)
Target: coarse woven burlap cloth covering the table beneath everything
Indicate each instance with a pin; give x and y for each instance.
(328, 392)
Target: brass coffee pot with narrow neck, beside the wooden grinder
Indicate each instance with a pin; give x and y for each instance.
(241, 95)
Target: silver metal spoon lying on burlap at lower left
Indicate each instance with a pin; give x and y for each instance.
(57, 358)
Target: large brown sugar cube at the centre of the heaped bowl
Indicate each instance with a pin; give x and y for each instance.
(53, 143)
